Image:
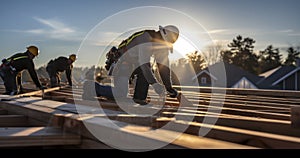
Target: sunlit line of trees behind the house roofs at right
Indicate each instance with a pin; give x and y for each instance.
(240, 52)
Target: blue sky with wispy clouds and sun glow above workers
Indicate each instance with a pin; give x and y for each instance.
(62, 27)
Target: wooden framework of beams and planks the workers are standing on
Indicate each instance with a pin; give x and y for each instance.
(210, 119)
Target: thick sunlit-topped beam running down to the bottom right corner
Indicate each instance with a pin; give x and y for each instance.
(241, 136)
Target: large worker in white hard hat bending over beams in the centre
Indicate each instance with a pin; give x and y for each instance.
(137, 52)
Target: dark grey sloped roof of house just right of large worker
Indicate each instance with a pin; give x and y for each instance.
(232, 73)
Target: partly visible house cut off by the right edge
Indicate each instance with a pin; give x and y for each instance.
(282, 78)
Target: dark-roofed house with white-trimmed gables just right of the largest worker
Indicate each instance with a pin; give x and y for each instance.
(226, 75)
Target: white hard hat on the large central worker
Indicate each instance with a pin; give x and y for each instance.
(169, 33)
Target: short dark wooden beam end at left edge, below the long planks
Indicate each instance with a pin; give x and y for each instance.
(13, 120)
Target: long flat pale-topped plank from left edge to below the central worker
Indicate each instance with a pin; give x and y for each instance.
(44, 109)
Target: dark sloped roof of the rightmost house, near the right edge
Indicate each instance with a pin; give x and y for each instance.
(275, 76)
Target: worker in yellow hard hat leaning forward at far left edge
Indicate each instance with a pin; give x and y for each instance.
(12, 68)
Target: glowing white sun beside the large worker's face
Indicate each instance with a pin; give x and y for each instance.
(182, 47)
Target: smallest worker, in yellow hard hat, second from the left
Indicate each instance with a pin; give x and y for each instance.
(58, 65)
